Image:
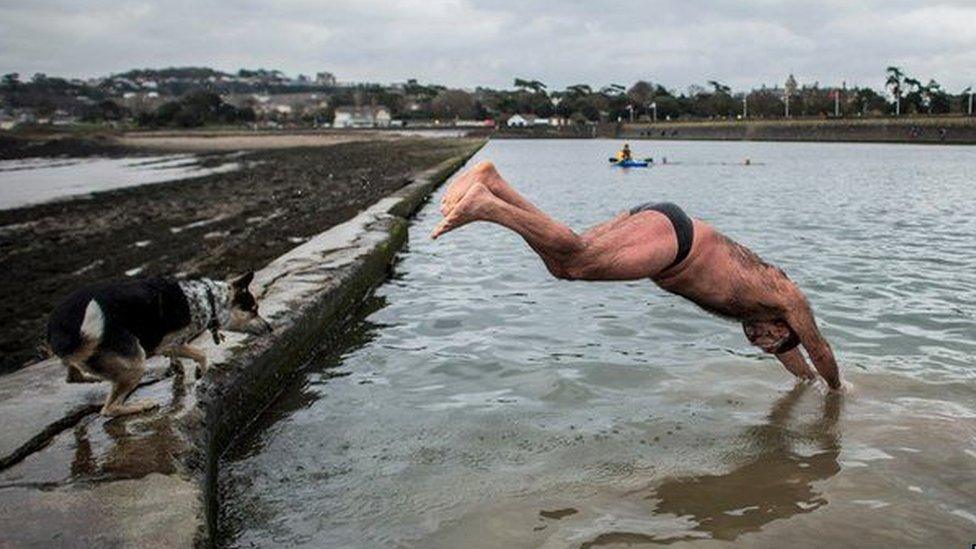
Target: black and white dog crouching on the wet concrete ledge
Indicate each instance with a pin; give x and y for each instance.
(106, 332)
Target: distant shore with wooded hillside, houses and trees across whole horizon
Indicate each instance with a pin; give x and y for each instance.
(198, 96)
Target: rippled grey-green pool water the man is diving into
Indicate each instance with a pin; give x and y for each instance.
(481, 403)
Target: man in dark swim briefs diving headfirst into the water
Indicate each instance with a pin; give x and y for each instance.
(683, 256)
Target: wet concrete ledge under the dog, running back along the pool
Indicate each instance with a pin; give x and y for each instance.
(70, 477)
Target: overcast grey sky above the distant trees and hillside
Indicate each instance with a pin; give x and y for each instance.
(465, 43)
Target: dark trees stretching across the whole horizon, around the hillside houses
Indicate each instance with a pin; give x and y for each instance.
(642, 100)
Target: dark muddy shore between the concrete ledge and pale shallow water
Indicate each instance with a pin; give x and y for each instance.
(214, 225)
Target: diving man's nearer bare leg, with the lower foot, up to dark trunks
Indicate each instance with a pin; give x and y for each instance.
(638, 246)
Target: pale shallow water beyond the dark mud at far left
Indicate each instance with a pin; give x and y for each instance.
(35, 180)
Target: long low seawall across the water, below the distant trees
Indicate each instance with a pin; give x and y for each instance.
(958, 131)
